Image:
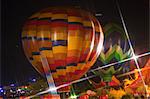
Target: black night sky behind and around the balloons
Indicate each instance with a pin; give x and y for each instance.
(16, 68)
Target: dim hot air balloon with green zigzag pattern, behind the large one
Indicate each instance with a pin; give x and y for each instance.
(115, 49)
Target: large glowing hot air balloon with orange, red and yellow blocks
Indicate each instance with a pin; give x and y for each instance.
(62, 42)
